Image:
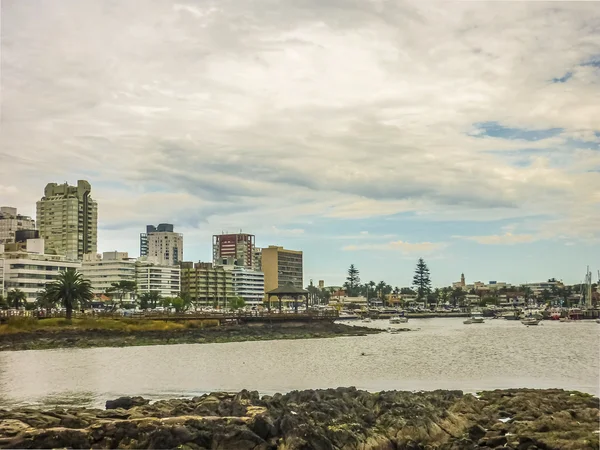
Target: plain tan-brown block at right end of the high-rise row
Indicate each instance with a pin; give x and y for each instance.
(282, 267)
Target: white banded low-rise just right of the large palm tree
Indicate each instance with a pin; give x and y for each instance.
(102, 270)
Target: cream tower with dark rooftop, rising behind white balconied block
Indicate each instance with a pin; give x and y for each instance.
(162, 245)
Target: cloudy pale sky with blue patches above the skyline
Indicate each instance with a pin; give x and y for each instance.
(365, 132)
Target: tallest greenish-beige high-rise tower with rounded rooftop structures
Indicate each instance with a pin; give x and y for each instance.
(67, 218)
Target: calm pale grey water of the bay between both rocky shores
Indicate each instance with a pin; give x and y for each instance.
(443, 354)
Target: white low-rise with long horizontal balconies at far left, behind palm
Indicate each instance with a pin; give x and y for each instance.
(29, 269)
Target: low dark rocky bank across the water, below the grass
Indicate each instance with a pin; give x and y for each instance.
(85, 338)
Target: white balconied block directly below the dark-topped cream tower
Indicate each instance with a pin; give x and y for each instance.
(164, 279)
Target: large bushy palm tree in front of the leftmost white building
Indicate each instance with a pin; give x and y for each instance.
(71, 290)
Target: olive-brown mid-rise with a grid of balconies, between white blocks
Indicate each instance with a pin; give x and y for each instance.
(207, 284)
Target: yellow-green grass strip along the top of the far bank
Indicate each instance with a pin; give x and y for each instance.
(28, 324)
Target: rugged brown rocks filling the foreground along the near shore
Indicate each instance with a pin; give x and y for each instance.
(343, 418)
